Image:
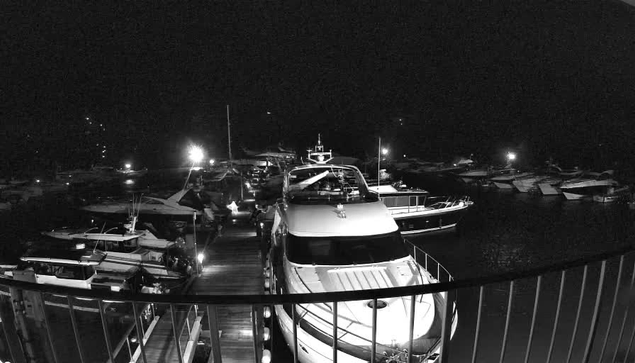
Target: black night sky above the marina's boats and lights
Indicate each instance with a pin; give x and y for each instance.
(547, 78)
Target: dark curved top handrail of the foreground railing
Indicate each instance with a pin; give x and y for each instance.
(315, 297)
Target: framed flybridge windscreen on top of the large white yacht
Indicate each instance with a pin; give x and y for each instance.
(328, 184)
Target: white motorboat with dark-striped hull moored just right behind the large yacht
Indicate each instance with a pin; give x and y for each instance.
(415, 211)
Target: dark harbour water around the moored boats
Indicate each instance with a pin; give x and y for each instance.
(503, 231)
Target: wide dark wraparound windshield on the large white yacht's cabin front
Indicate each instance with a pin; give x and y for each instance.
(345, 250)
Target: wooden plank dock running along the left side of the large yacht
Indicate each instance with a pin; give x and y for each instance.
(234, 265)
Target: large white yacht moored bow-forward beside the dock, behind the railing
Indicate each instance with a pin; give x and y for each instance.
(331, 233)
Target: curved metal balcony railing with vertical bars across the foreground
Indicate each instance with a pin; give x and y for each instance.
(575, 311)
